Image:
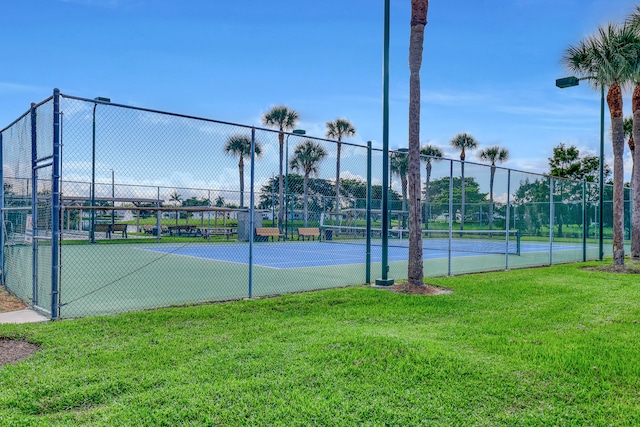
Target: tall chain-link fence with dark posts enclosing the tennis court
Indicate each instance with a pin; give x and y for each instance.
(110, 208)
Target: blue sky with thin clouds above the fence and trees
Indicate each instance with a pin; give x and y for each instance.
(489, 66)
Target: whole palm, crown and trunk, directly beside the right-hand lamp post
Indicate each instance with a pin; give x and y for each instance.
(609, 58)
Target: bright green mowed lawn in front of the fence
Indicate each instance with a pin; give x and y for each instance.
(547, 346)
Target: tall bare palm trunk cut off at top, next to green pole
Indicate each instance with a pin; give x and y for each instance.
(419, 9)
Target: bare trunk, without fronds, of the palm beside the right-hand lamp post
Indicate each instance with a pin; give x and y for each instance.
(614, 100)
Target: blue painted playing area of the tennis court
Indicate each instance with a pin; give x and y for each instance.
(284, 255)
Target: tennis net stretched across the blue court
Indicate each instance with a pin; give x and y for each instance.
(474, 241)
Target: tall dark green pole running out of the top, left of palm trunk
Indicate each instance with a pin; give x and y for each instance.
(385, 280)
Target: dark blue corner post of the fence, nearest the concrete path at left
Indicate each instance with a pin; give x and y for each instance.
(55, 202)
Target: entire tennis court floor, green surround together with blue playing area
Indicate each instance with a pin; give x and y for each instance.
(102, 279)
